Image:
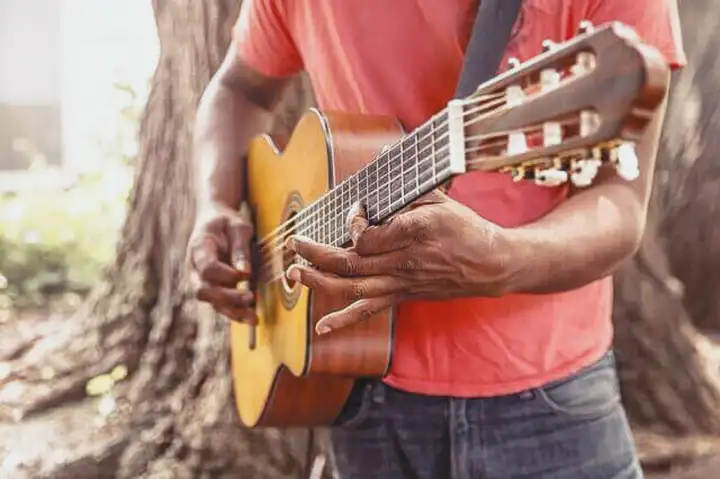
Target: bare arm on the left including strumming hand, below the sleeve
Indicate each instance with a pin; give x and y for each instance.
(234, 108)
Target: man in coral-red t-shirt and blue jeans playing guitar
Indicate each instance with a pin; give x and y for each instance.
(502, 364)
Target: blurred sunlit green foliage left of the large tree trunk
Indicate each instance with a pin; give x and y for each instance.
(57, 238)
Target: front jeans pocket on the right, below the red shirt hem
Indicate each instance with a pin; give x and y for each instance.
(592, 392)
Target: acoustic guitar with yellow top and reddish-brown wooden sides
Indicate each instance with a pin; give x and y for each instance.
(576, 107)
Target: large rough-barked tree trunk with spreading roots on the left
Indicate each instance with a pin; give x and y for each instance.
(179, 416)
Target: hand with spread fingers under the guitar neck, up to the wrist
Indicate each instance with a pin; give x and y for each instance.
(438, 249)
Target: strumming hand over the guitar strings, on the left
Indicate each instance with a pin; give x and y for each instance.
(218, 258)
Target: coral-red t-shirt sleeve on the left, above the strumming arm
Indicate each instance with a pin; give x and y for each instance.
(263, 39)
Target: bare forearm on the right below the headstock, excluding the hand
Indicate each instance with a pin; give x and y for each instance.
(588, 235)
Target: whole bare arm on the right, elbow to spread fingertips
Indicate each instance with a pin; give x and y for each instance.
(443, 250)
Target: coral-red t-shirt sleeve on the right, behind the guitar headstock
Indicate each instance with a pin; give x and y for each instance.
(656, 21)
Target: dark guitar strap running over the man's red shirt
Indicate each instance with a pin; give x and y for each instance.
(490, 37)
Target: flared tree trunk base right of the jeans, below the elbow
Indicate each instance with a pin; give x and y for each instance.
(668, 380)
